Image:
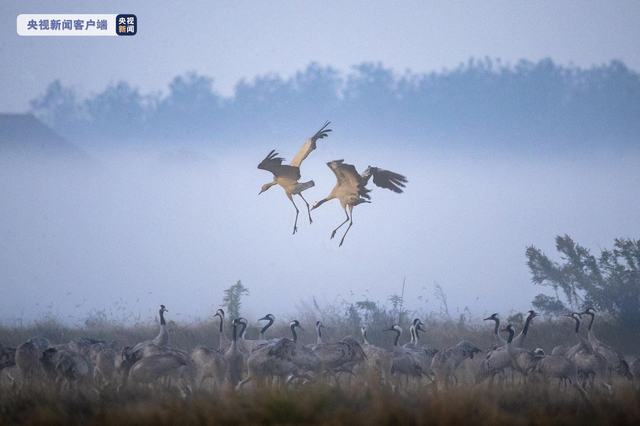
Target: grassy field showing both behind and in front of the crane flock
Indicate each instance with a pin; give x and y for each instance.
(321, 404)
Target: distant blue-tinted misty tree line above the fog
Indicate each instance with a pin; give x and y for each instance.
(510, 105)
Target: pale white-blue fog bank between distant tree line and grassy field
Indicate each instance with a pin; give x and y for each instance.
(133, 227)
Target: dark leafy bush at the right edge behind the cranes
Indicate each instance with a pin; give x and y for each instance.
(610, 283)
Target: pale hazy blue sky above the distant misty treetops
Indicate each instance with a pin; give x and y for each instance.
(231, 40)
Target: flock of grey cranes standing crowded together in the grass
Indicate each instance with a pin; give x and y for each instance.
(284, 361)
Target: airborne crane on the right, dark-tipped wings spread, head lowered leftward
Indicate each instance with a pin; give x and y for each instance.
(351, 188)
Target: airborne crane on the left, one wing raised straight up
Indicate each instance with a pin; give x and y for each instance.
(287, 176)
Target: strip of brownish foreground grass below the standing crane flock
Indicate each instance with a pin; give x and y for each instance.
(322, 404)
